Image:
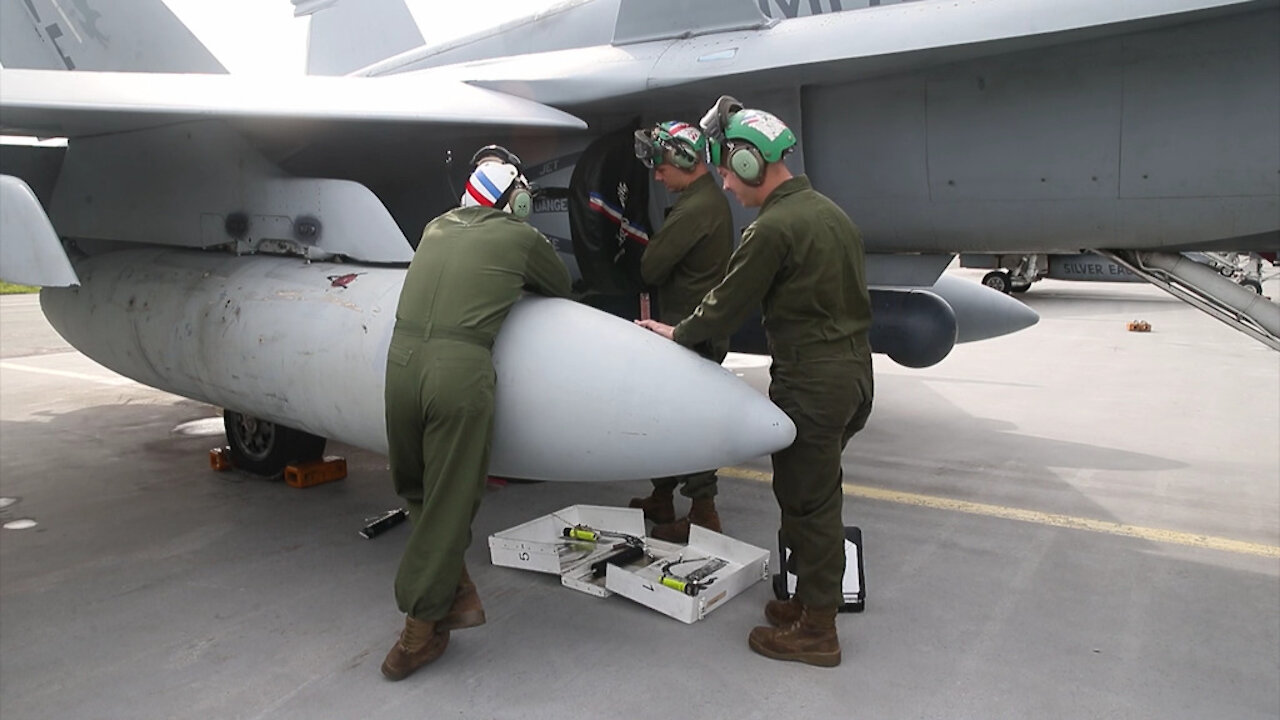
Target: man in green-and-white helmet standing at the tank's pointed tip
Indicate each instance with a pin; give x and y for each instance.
(803, 259)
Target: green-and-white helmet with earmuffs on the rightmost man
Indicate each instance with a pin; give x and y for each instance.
(746, 142)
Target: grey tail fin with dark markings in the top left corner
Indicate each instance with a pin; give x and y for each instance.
(80, 35)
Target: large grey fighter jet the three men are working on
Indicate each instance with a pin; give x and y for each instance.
(221, 226)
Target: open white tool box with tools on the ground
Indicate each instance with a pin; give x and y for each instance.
(604, 550)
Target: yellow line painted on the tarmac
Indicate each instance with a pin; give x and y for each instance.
(1154, 535)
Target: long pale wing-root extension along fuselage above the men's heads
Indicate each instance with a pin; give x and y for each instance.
(833, 47)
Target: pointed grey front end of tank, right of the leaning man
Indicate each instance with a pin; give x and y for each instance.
(587, 397)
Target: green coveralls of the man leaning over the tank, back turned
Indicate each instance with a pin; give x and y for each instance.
(470, 268)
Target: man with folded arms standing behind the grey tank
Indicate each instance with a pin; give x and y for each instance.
(684, 261)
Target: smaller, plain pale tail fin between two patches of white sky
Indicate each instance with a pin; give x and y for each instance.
(349, 35)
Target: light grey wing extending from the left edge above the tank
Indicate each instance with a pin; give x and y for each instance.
(56, 103)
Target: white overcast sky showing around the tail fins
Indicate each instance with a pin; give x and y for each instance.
(263, 37)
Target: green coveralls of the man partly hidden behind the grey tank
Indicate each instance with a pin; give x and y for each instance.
(685, 259)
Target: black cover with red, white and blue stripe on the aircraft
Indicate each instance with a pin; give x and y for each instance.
(609, 216)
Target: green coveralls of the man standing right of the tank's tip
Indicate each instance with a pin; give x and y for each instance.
(803, 259)
